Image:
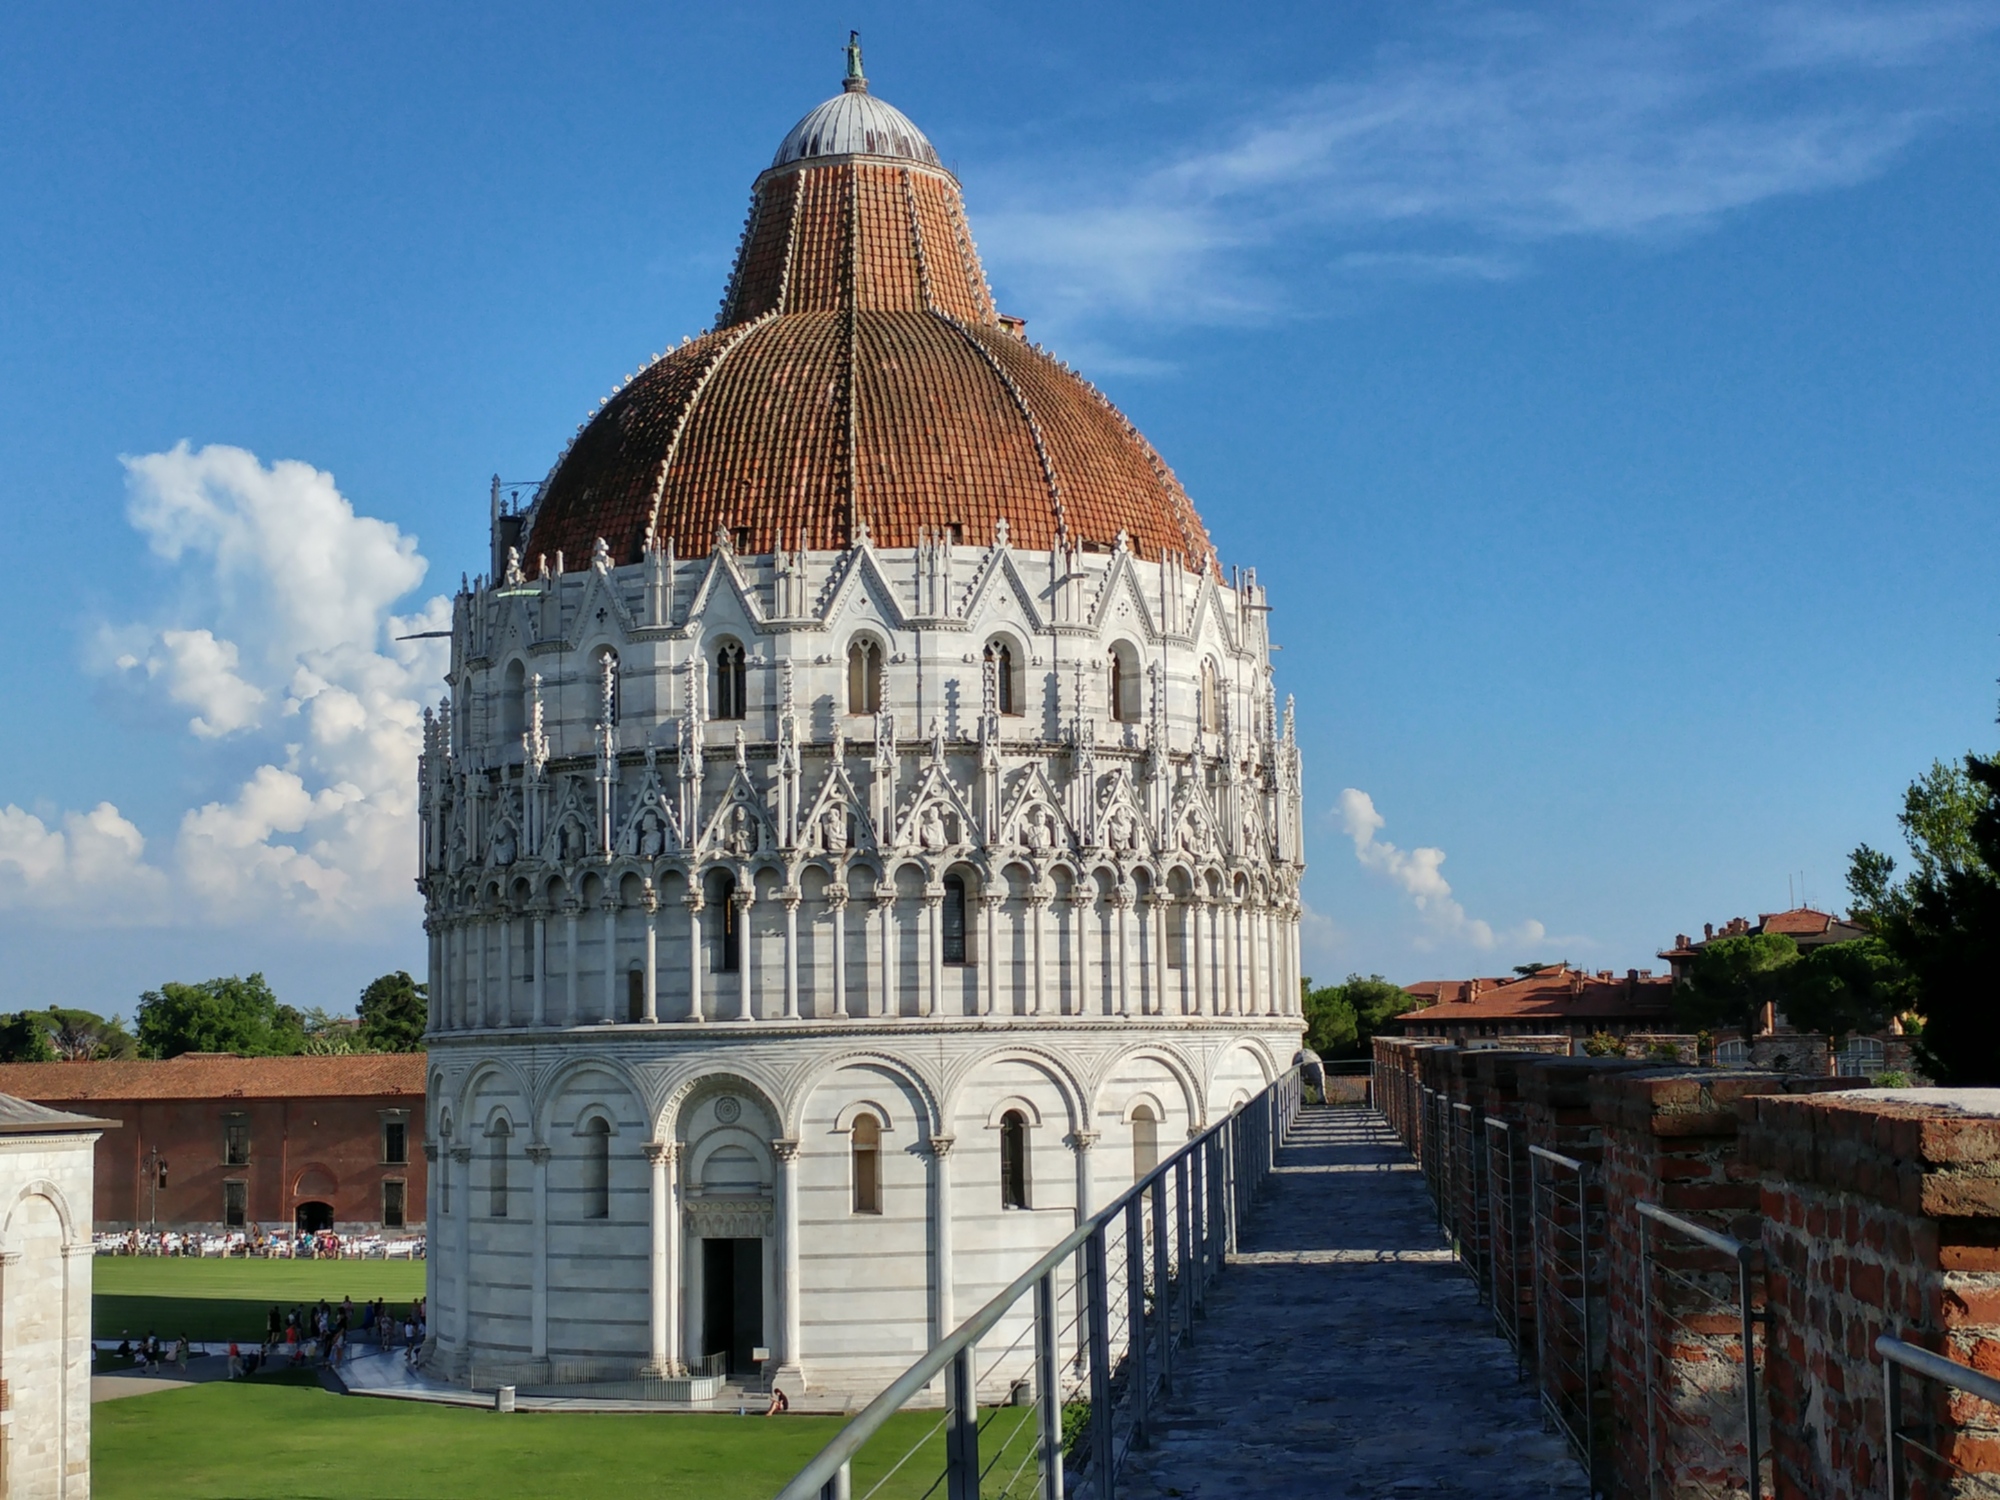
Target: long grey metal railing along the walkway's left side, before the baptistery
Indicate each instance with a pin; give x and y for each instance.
(1147, 1263)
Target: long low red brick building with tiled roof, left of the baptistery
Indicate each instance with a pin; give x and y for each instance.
(221, 1143)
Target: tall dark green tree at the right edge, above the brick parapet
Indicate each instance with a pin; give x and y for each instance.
(1943, 921)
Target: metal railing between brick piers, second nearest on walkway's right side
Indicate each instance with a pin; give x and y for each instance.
(1705, 1419)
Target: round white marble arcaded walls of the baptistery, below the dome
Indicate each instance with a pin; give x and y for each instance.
(775, 899)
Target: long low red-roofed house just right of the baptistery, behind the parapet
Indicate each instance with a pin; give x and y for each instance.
(1557, 1001)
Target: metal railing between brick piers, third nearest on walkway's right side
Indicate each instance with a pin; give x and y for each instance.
(1569, 1317)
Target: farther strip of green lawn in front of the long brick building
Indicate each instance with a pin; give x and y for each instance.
(231, 1299)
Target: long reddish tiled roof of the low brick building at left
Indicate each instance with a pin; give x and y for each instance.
(205, 1075)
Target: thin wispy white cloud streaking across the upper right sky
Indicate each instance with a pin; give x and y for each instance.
(1465, 143)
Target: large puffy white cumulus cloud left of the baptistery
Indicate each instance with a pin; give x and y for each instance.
(283, 637)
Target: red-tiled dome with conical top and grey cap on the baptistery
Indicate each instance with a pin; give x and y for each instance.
(857, 377)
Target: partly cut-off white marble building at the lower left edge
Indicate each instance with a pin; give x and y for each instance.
(47, 1169)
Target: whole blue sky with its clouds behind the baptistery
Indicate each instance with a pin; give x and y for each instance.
(1605, 395)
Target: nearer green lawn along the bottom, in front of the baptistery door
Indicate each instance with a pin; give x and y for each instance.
(295, 1443)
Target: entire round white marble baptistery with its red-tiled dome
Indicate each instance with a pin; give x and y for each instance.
(861, 833)
